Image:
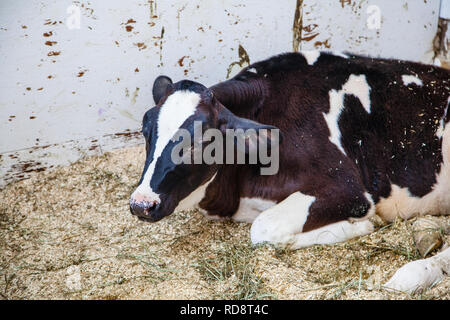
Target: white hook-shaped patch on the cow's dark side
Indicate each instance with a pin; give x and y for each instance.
(355, 85)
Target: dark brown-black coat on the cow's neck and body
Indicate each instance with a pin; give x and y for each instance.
(292, 95)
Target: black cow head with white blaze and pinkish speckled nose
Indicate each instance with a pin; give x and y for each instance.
(164, 183)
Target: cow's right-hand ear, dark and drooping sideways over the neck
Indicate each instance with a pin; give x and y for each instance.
(253, 133)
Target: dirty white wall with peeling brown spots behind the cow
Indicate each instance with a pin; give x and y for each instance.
(78, 84)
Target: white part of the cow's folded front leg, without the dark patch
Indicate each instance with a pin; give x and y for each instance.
(284, 224)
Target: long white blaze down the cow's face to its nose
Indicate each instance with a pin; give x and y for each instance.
(176, 109)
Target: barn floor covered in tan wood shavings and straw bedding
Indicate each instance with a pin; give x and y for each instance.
(68, 234)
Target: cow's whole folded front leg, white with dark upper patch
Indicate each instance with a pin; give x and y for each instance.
(301, 220)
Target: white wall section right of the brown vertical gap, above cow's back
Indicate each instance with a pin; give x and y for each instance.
(407, 28)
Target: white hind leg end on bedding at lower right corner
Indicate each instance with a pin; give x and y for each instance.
(421, 274)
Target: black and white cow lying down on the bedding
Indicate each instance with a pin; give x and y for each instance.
(360, 136)
